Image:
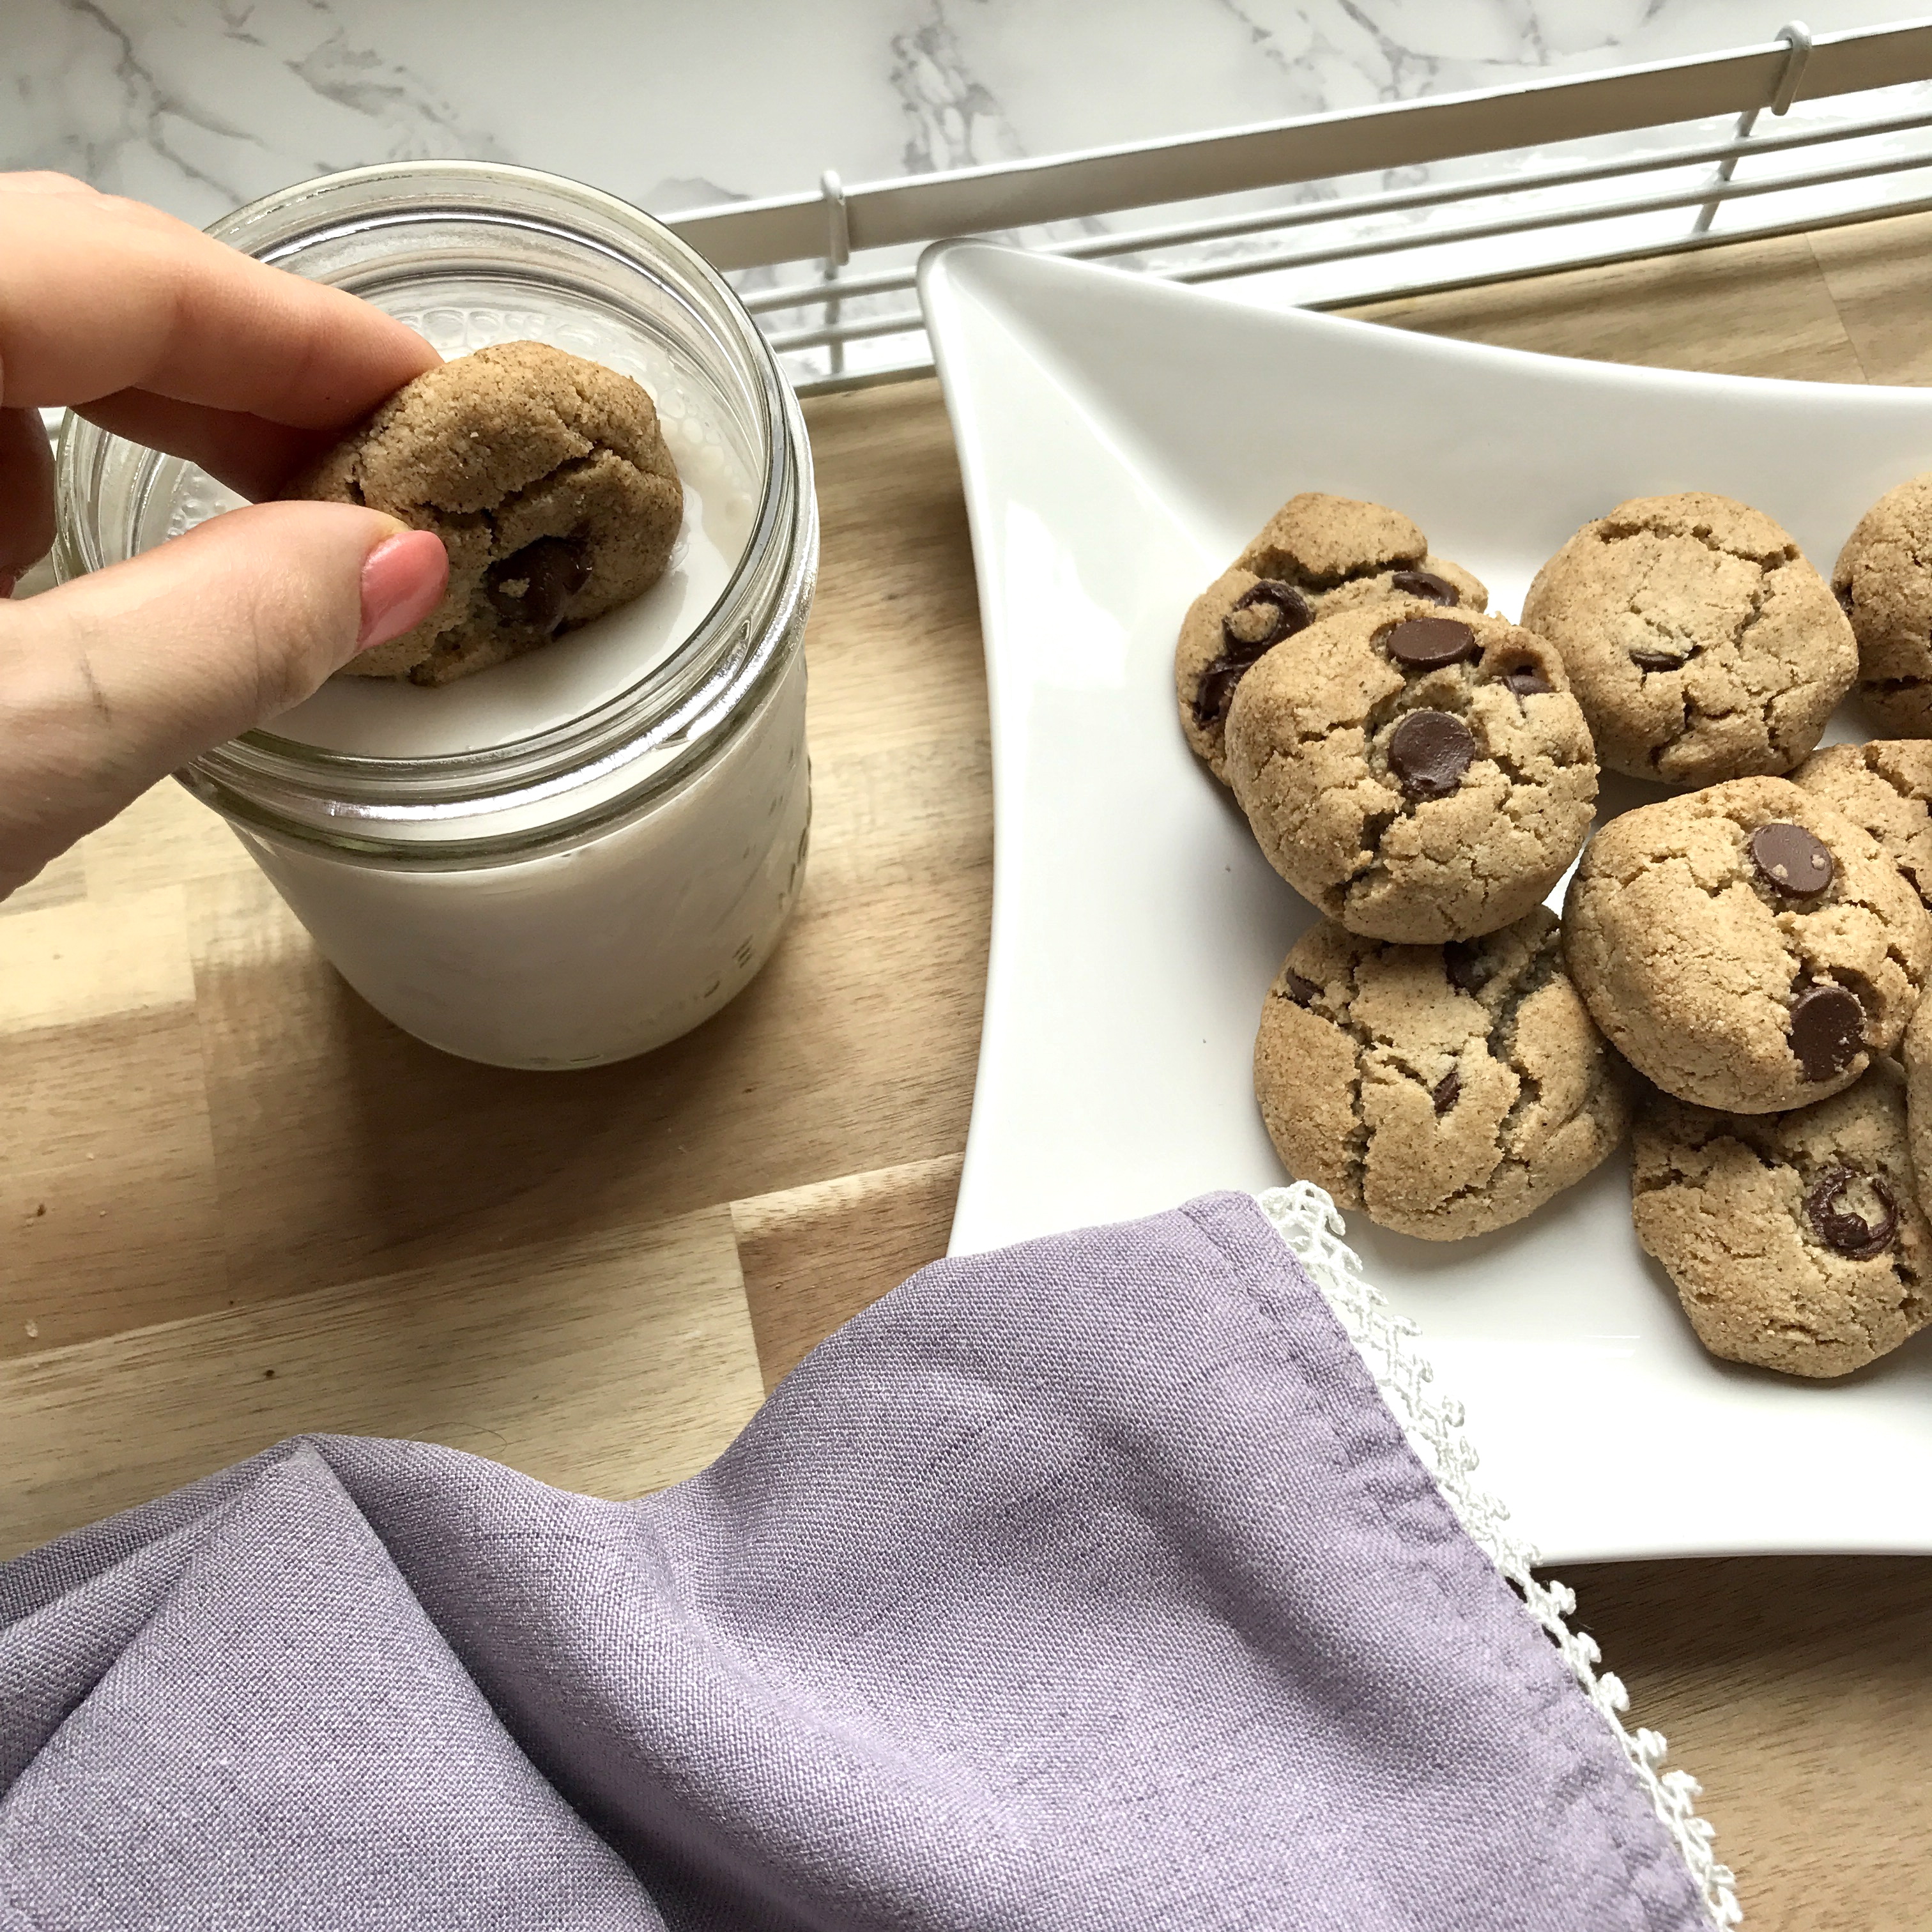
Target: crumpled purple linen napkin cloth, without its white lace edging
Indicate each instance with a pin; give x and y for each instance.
(1077, 1587)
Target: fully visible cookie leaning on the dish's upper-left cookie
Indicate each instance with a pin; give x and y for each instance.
(1417, 776)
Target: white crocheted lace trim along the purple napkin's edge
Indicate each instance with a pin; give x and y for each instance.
(1309, 1224)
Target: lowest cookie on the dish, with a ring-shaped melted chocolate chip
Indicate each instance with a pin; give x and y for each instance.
(1796, 1241)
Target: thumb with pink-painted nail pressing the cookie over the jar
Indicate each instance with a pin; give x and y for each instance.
(125, 675)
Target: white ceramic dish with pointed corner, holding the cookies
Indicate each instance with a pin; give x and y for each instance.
(1122, 440)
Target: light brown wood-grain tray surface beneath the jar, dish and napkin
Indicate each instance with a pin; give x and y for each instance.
(237, 1205)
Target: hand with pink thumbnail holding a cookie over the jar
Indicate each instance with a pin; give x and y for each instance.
(157, 333)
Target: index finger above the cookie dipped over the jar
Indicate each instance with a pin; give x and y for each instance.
(105, 297)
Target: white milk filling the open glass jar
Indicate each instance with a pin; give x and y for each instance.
(631, 934)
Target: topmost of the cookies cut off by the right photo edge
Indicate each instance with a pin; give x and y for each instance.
(1885, 582)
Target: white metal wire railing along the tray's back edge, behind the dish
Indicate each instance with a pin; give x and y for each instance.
(838, 223)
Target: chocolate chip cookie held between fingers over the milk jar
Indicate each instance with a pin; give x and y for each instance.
(550, 484)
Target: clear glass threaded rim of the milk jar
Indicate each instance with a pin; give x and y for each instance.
(669, 716)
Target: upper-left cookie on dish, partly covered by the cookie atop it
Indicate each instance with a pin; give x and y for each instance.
(1332, 554)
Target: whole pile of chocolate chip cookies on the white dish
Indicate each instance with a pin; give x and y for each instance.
(1738, 965)
